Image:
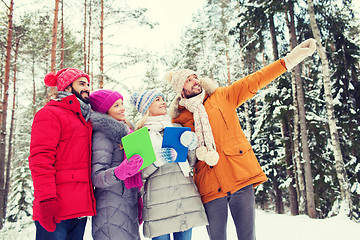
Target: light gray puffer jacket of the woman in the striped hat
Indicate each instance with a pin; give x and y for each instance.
(171, 201)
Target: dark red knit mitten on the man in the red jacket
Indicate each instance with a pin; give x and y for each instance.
(49, 214)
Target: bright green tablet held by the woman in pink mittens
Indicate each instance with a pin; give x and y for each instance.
(139, 142)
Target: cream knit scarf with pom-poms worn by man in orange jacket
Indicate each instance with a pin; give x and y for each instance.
(207, 148)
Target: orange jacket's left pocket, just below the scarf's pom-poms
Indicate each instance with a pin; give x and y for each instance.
(205, 178)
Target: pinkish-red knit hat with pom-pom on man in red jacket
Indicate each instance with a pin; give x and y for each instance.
(63, 78)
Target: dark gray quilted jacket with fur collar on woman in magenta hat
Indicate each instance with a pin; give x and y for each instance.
(116, 206)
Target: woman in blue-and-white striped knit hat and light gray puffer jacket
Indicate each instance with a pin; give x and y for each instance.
(172, 204)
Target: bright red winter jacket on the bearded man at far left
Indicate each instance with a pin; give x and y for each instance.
(60, 158)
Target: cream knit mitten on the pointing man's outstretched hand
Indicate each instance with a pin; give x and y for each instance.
(299, 53)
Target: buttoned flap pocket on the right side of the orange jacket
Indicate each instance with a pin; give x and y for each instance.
(242, 160)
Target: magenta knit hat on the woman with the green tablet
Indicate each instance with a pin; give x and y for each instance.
(102, 100)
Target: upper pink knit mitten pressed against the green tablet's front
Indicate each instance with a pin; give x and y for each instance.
(129, 167)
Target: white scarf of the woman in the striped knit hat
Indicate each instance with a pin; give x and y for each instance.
(156, 125)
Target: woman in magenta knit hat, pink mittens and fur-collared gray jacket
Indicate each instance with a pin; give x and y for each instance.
(117, 180)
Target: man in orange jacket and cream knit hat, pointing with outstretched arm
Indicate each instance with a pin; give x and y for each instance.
(227, 169)
